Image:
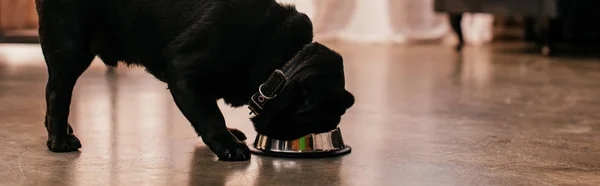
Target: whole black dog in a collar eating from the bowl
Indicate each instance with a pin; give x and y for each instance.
(204, 50)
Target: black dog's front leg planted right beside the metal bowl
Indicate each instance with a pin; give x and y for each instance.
(206, 118)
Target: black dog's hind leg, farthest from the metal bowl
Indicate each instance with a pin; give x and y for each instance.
(64, 42)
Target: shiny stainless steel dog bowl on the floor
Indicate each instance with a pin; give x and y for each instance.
(310, 146)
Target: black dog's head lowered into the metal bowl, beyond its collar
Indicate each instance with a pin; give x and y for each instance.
(313, 100)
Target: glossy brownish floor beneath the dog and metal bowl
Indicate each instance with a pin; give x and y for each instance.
(424, 116)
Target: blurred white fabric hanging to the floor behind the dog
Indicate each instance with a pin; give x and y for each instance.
(388, 21)
